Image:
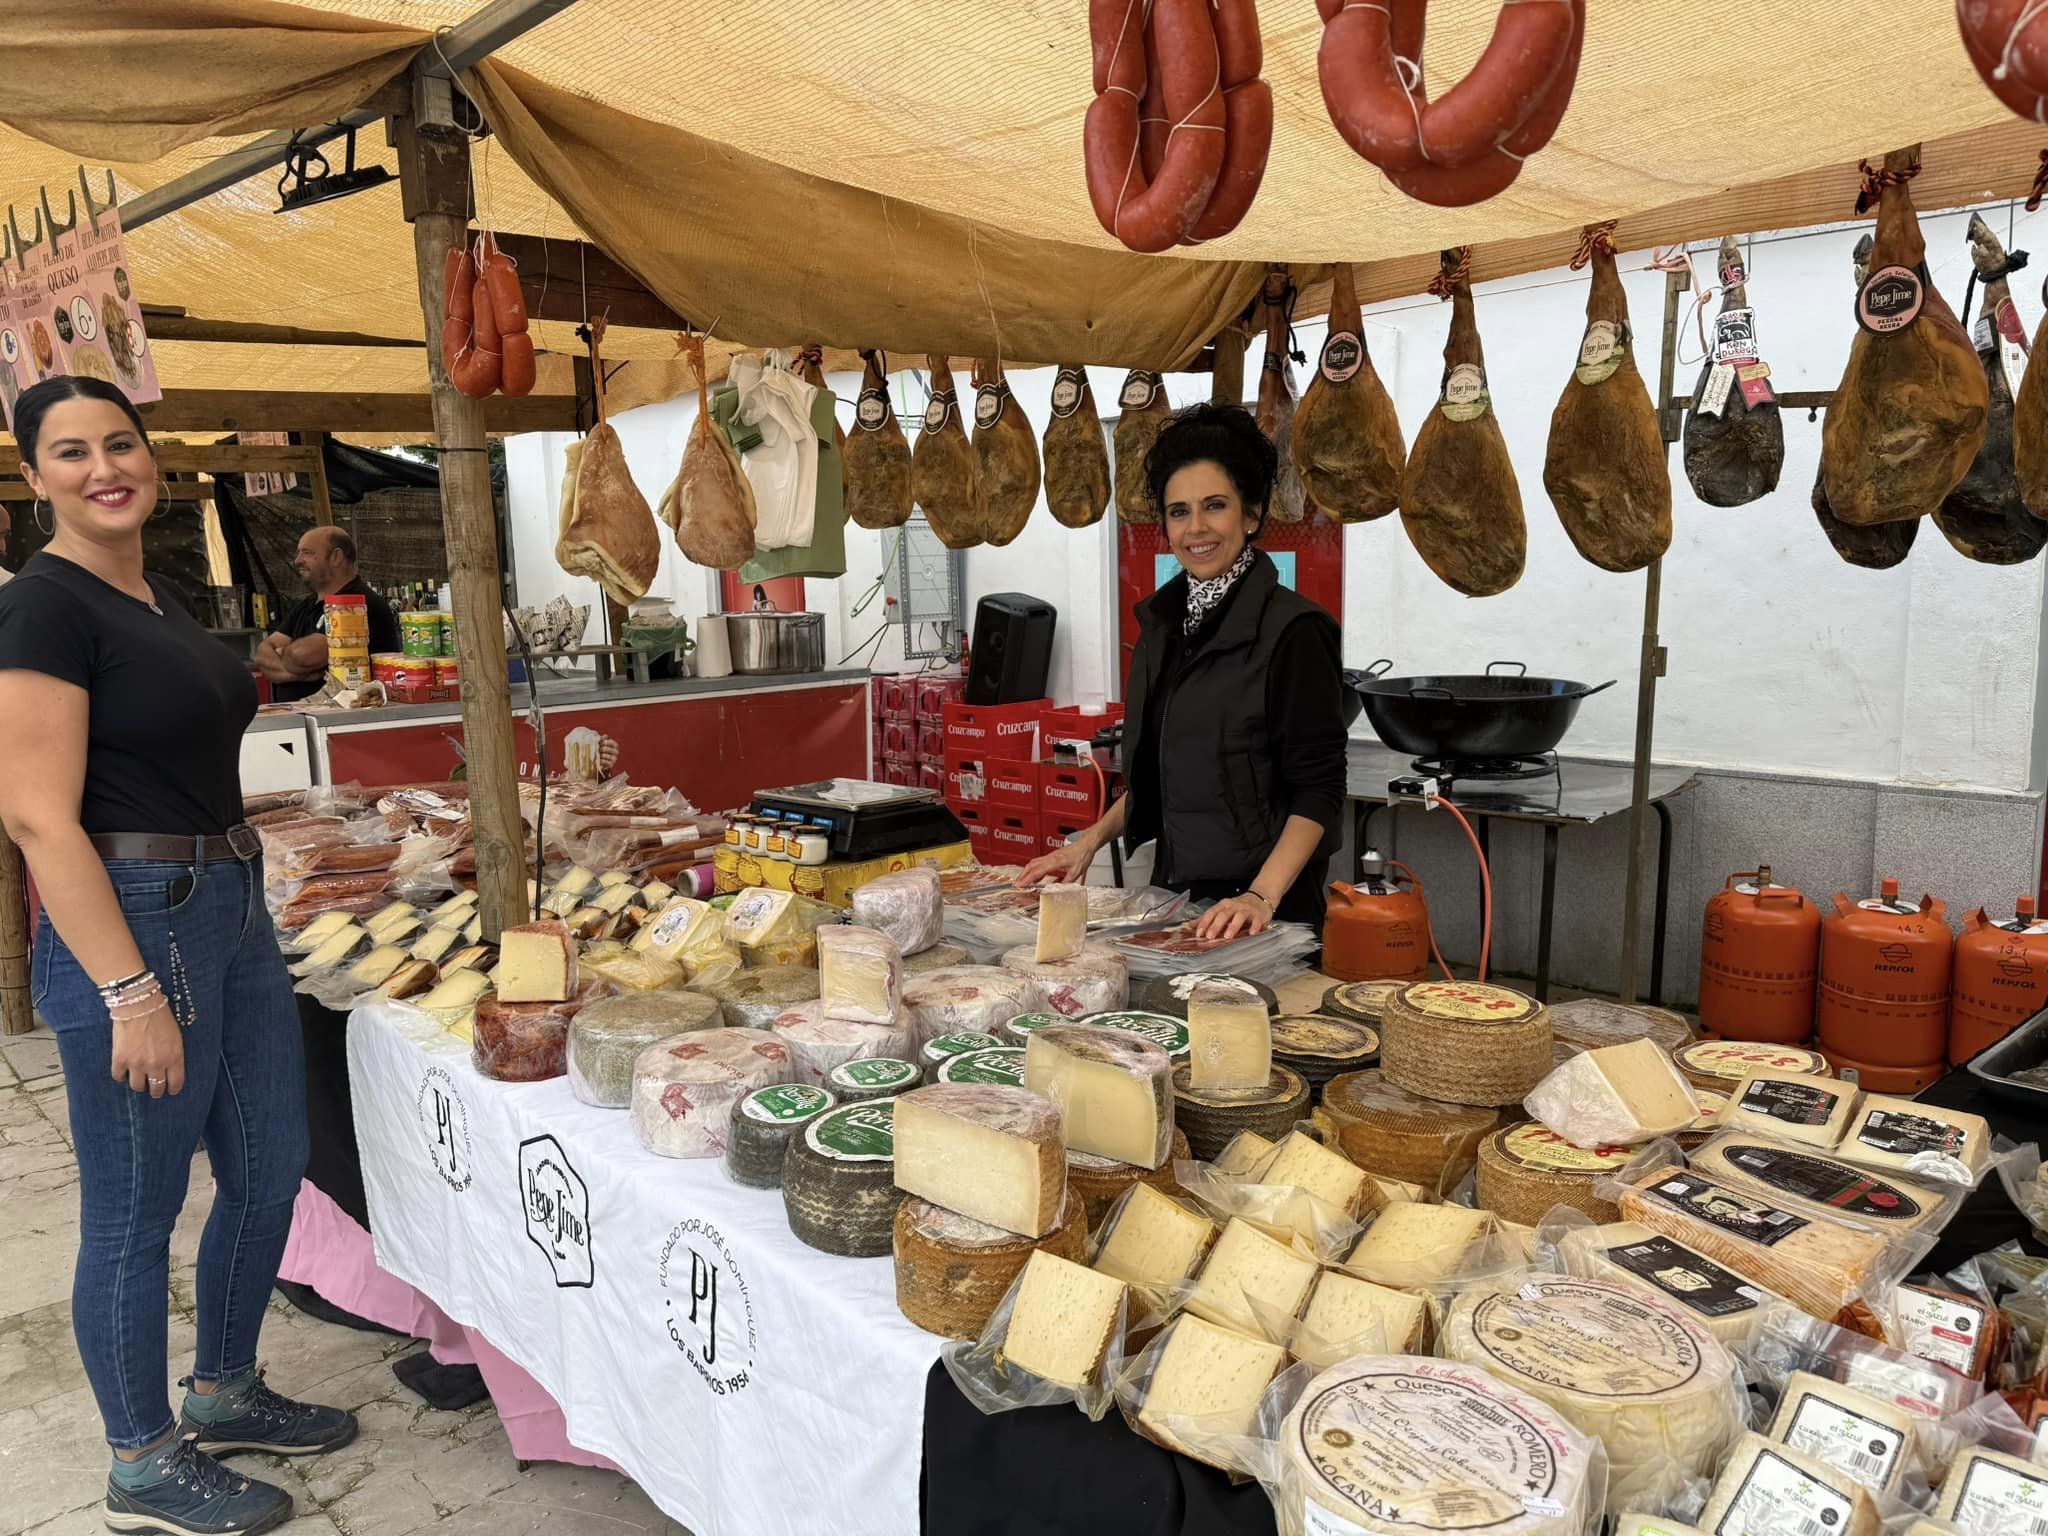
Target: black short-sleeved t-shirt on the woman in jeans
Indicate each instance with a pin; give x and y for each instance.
(169, 701)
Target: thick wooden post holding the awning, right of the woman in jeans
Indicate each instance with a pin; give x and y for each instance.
(435, 196)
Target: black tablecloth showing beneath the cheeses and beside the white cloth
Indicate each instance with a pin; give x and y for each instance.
(1041, 1471)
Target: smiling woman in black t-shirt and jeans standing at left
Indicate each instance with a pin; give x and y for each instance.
(155, 966)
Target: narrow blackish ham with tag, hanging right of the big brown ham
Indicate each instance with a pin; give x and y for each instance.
(1986, 517)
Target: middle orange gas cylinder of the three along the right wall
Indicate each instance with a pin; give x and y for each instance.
(1885, 972)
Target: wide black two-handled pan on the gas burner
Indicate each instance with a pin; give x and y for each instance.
(1467, 716)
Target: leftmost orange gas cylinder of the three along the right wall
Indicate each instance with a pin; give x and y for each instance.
(1760, 955)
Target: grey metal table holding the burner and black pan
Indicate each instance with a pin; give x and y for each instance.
(1580, 794)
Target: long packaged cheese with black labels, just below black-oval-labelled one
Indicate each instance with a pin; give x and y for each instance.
(1809, 1261)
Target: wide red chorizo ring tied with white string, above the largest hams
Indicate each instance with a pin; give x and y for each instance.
(1371, 75)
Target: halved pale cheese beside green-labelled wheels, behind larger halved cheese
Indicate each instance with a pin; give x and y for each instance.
(1115, 1091)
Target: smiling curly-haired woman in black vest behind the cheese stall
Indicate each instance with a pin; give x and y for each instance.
(1234, 738)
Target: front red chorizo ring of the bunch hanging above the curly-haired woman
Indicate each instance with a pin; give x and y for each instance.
(1152, 214)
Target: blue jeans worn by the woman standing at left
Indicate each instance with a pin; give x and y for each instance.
(245, 1095)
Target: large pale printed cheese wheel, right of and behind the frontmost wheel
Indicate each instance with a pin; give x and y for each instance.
(1648, 1381)
